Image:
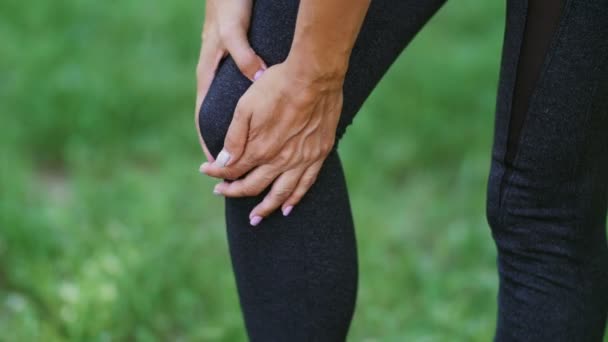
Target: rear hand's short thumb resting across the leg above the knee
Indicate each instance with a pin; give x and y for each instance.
(250, 64)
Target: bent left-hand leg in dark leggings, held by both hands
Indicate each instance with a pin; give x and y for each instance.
(297, 275)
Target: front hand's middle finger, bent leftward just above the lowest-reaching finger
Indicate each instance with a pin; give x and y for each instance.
(251, 185)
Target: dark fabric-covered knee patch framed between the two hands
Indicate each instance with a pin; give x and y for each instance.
(219, 103)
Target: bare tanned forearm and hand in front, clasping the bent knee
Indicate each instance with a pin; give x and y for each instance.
(284, 125)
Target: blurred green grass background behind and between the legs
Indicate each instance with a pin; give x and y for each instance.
(108, 232)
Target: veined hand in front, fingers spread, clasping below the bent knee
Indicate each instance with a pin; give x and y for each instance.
(283, 128)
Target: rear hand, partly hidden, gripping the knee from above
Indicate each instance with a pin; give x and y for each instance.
(224, 32)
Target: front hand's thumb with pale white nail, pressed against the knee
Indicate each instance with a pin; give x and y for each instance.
(236, 137)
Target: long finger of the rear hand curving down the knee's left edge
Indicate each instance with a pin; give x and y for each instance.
(209, 58)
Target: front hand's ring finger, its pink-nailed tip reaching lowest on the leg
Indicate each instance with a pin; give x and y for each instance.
(281, 189)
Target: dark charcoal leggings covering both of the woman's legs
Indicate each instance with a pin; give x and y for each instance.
(547, 188)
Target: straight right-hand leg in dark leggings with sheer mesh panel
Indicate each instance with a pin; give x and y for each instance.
(548, 184)
